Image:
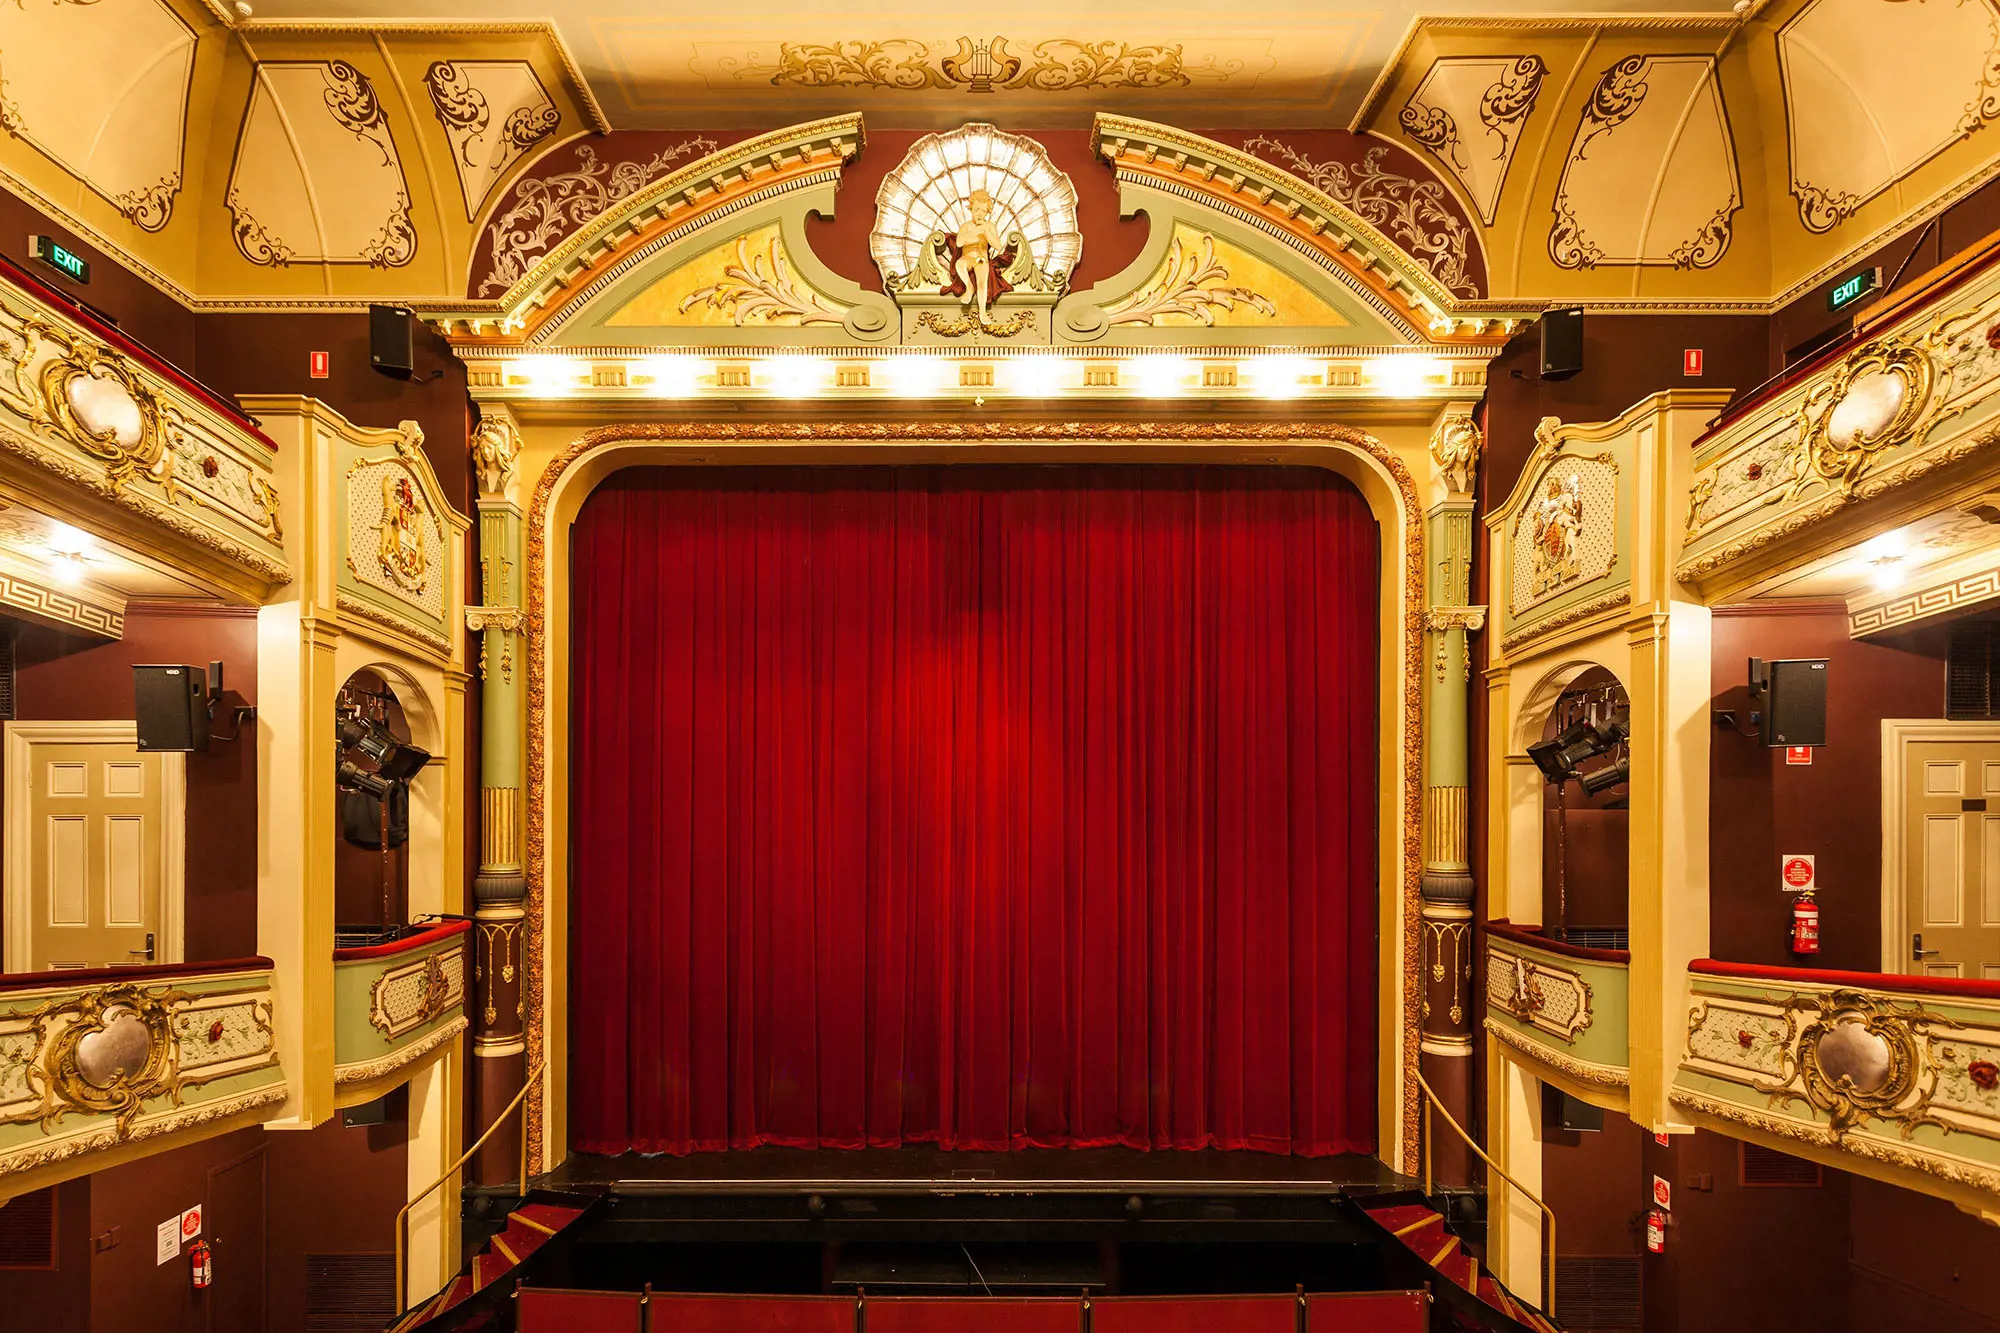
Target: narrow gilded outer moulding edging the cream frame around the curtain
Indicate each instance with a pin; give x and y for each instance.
(1137, 433)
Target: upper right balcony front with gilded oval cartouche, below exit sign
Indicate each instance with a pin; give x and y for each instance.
(1887, 437)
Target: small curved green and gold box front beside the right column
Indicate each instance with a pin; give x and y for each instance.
(1561, 1008)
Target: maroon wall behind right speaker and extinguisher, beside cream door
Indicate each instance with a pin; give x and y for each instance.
(1761, 808)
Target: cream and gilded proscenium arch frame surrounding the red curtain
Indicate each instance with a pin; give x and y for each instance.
(1383, 479)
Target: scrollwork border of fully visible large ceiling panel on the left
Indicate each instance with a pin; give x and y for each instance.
(359, 111)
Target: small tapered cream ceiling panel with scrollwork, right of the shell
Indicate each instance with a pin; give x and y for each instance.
(1491, 95)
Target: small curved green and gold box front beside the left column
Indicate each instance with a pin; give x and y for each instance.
(397, 1006)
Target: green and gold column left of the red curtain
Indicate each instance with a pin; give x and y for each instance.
(501, 890)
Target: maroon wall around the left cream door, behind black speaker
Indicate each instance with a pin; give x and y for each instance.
(65, 678)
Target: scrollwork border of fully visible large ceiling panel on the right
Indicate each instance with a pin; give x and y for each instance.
(1615, 99)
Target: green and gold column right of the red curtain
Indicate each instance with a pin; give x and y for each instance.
(1447, 884)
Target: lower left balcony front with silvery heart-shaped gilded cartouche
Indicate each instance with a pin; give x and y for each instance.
(111, 1064)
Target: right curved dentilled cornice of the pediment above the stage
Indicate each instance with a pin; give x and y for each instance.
(1339, 237)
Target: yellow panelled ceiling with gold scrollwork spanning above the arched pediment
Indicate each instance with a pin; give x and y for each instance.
(325, 153)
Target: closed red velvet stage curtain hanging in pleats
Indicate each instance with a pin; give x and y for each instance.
(981, 808)
